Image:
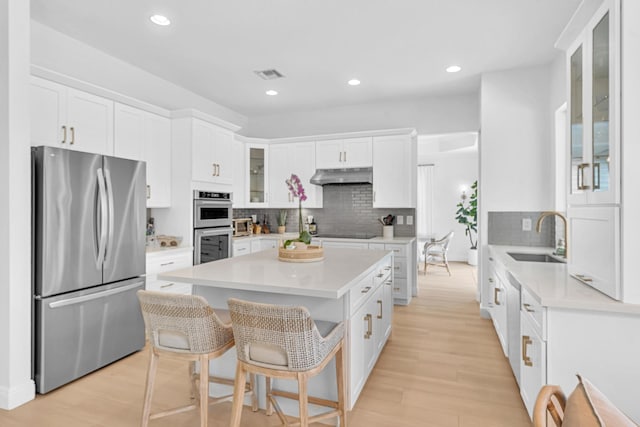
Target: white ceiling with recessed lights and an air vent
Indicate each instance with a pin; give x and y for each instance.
(397, 48)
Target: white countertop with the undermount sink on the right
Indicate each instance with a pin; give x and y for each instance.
(551, 284)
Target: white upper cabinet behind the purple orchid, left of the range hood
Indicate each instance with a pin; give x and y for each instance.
(295, 158)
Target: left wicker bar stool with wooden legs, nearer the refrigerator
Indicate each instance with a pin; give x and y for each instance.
(186, 327)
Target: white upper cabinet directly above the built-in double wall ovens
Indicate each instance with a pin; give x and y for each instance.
(212, 153)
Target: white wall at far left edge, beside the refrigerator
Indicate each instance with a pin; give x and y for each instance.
(16, 386)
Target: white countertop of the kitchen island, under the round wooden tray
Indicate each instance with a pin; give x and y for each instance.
(333, 277)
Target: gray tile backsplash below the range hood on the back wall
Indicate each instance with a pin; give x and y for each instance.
(347, 209)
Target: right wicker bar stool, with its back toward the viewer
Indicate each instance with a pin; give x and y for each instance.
(284, 342)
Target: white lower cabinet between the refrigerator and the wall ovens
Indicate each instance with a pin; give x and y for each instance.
(164, 261)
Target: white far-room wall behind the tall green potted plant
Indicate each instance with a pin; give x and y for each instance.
(452, 170)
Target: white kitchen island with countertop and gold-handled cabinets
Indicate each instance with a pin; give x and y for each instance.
(350, 285)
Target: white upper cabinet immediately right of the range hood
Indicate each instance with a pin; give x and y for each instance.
(394, 171)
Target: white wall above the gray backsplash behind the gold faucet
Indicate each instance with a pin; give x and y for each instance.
(516, 145)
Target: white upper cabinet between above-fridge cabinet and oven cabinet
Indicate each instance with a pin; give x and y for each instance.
(140, 135)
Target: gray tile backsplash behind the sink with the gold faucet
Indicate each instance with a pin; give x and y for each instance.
(505, 228)
